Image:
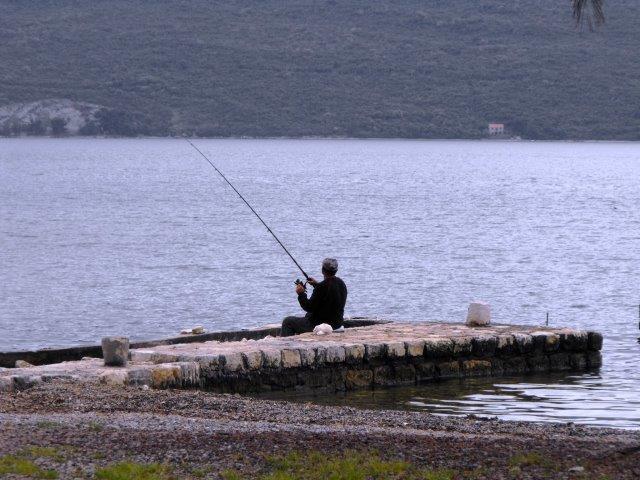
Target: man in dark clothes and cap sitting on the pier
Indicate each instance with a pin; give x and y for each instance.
(326, 304)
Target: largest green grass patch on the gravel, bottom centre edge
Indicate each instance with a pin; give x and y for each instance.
(349, 466)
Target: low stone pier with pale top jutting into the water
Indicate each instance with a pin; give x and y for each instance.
(380, 355)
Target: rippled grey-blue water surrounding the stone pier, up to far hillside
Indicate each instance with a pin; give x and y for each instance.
(142, 238)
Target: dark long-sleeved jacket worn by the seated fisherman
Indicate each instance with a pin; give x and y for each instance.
(327, 301)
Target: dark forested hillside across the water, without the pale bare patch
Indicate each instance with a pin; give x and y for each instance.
(361, 68)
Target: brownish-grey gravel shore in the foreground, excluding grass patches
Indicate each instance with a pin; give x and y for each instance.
(200, 435)
